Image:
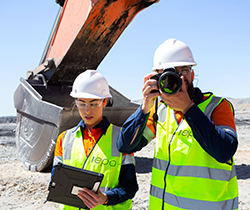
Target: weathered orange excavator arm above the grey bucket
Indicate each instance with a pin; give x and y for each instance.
(85, 33)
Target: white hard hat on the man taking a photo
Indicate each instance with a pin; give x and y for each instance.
(173, 53)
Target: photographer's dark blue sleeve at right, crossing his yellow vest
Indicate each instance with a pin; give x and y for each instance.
(218, 143)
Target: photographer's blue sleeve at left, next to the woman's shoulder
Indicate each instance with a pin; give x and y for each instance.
(131, 136)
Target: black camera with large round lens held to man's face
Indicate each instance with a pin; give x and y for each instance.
(169, 81)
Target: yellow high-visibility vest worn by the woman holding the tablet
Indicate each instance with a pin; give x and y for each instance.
(104, 158)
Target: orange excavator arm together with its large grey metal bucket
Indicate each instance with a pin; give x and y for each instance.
(83, 33)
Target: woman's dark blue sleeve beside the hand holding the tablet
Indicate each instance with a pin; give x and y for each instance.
(127, 188)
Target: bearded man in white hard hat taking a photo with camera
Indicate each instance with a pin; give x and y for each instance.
(193, 165)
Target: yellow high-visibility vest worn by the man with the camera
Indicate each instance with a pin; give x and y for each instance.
(185, 176)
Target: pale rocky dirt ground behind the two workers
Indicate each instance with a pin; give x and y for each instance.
(25, 190)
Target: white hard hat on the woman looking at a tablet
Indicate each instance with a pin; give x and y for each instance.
(90, 84)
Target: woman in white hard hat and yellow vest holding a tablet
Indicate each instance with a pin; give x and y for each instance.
(91, 145)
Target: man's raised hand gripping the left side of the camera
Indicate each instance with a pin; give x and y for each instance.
(148, 98)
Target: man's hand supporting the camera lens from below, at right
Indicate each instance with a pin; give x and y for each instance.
(179, 101)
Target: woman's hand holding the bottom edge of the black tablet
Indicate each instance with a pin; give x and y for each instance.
(92, 199)
